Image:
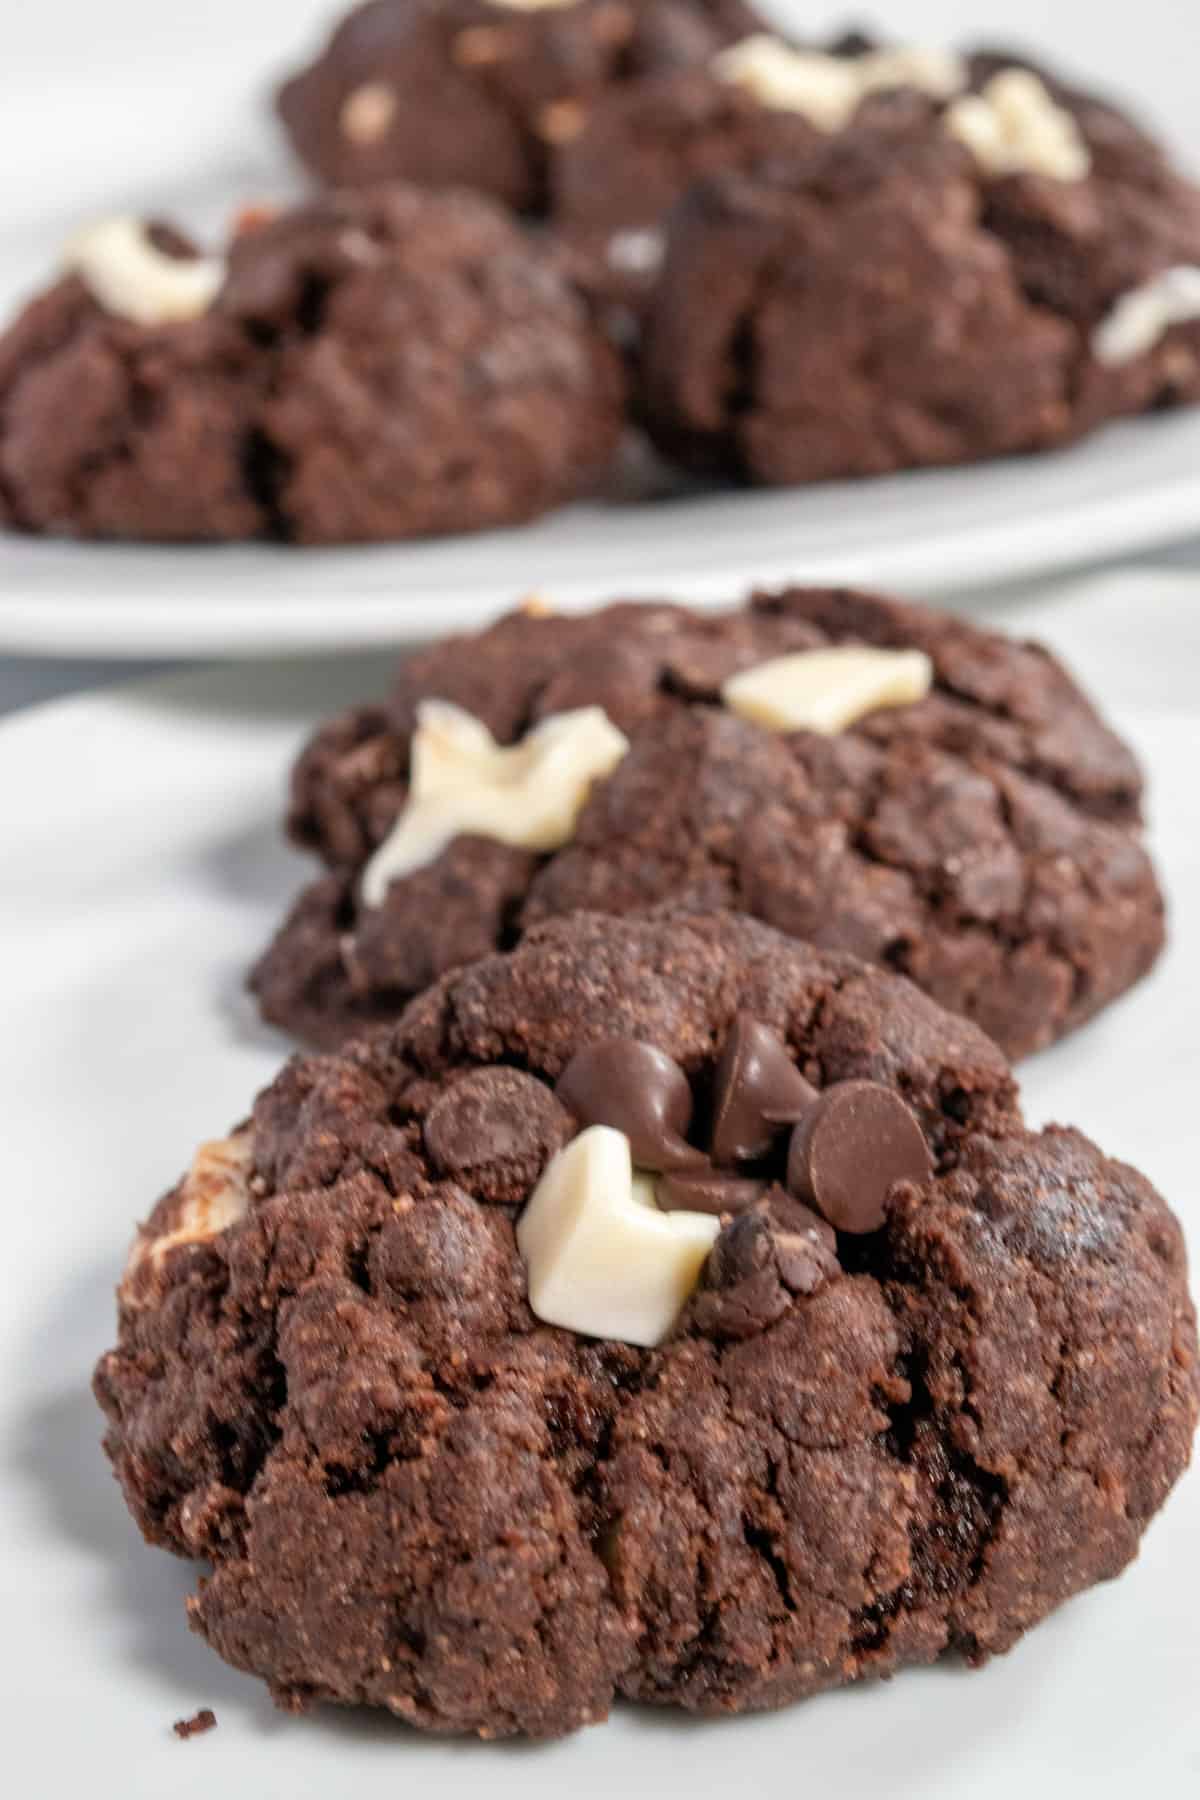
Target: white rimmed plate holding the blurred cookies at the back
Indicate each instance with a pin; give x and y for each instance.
(161, 109)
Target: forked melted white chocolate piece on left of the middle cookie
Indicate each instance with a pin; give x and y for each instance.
(463, 782)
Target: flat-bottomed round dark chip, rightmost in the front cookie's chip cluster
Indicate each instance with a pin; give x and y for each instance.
(850, 1149)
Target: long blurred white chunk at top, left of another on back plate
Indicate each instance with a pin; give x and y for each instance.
(828, 91)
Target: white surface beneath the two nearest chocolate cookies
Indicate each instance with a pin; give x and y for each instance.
(143, 870)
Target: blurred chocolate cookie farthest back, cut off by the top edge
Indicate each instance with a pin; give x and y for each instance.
(476, 93)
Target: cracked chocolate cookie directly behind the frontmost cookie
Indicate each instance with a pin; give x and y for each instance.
(983, 840)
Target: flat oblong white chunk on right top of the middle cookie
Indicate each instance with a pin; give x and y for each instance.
(828, 690)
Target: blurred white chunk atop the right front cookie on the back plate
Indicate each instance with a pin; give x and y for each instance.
(1017, 127)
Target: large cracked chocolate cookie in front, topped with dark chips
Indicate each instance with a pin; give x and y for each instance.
(755, 1457)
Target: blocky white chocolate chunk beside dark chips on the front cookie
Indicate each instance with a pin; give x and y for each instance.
(600, 1255)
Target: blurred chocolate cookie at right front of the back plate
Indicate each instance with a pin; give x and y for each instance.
(931, 282)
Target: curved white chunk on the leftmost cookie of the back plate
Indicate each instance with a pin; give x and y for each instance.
(132, 280)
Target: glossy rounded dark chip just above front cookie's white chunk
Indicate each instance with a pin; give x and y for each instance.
(638, 1090)
